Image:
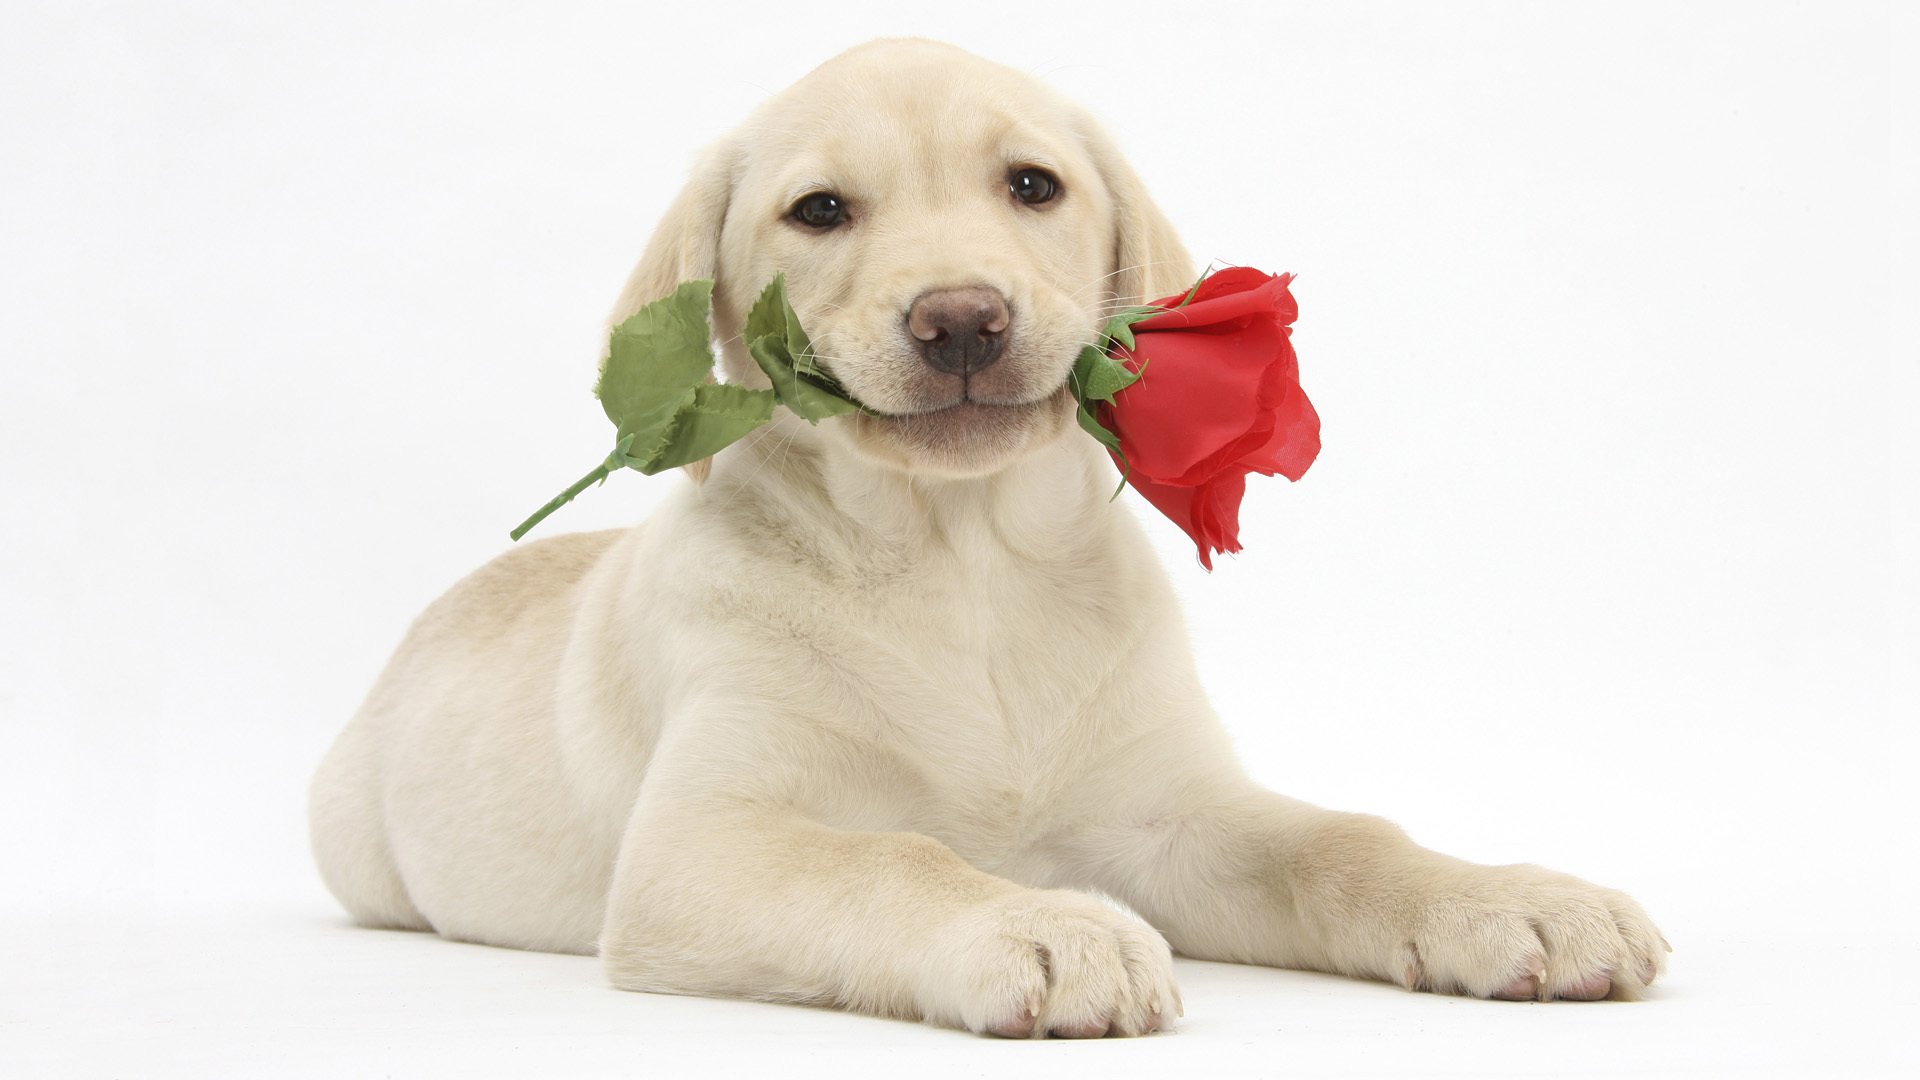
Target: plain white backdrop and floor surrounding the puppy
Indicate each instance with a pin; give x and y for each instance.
(1608, 564)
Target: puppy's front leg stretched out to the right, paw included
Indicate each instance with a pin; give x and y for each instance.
(1236, 873)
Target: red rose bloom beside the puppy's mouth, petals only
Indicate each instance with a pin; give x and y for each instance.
(1218, 399)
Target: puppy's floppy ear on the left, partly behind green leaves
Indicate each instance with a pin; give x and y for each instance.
(684, 247)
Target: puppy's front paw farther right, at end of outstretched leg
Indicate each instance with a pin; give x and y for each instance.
(1525, 935)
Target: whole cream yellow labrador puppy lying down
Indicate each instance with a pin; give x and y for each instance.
(876, 712)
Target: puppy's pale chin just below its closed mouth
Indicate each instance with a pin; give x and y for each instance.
(971, 439)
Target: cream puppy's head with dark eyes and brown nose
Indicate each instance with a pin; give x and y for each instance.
(951, 232)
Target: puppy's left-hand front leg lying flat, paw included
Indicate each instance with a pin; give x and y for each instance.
(769, 904)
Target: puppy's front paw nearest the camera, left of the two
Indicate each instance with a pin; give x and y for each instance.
(1049, 964)
